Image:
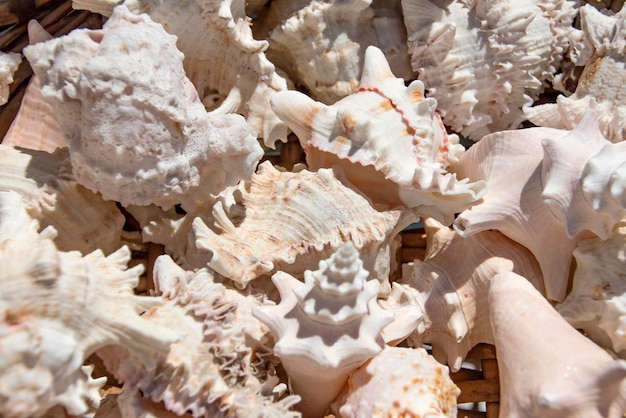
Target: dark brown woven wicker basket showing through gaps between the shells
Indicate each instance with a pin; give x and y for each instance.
(478, 385)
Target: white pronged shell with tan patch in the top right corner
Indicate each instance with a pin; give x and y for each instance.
(601, 86)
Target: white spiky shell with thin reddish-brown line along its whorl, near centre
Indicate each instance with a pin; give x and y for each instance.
(354, 134)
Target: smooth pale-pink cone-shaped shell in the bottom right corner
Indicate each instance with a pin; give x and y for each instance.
(547, 368)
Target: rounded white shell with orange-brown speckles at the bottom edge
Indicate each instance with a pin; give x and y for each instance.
(398, 382)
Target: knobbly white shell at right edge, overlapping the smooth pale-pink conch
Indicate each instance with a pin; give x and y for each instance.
(584, 179)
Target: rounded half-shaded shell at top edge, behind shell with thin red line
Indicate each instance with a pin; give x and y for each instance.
(337, 33)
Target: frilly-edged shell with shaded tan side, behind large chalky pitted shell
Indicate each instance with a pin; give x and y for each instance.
(225, 63)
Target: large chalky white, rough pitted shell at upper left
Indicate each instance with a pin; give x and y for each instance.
(137, 132)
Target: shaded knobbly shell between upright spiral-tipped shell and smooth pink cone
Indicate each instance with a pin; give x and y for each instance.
(449, 288)
